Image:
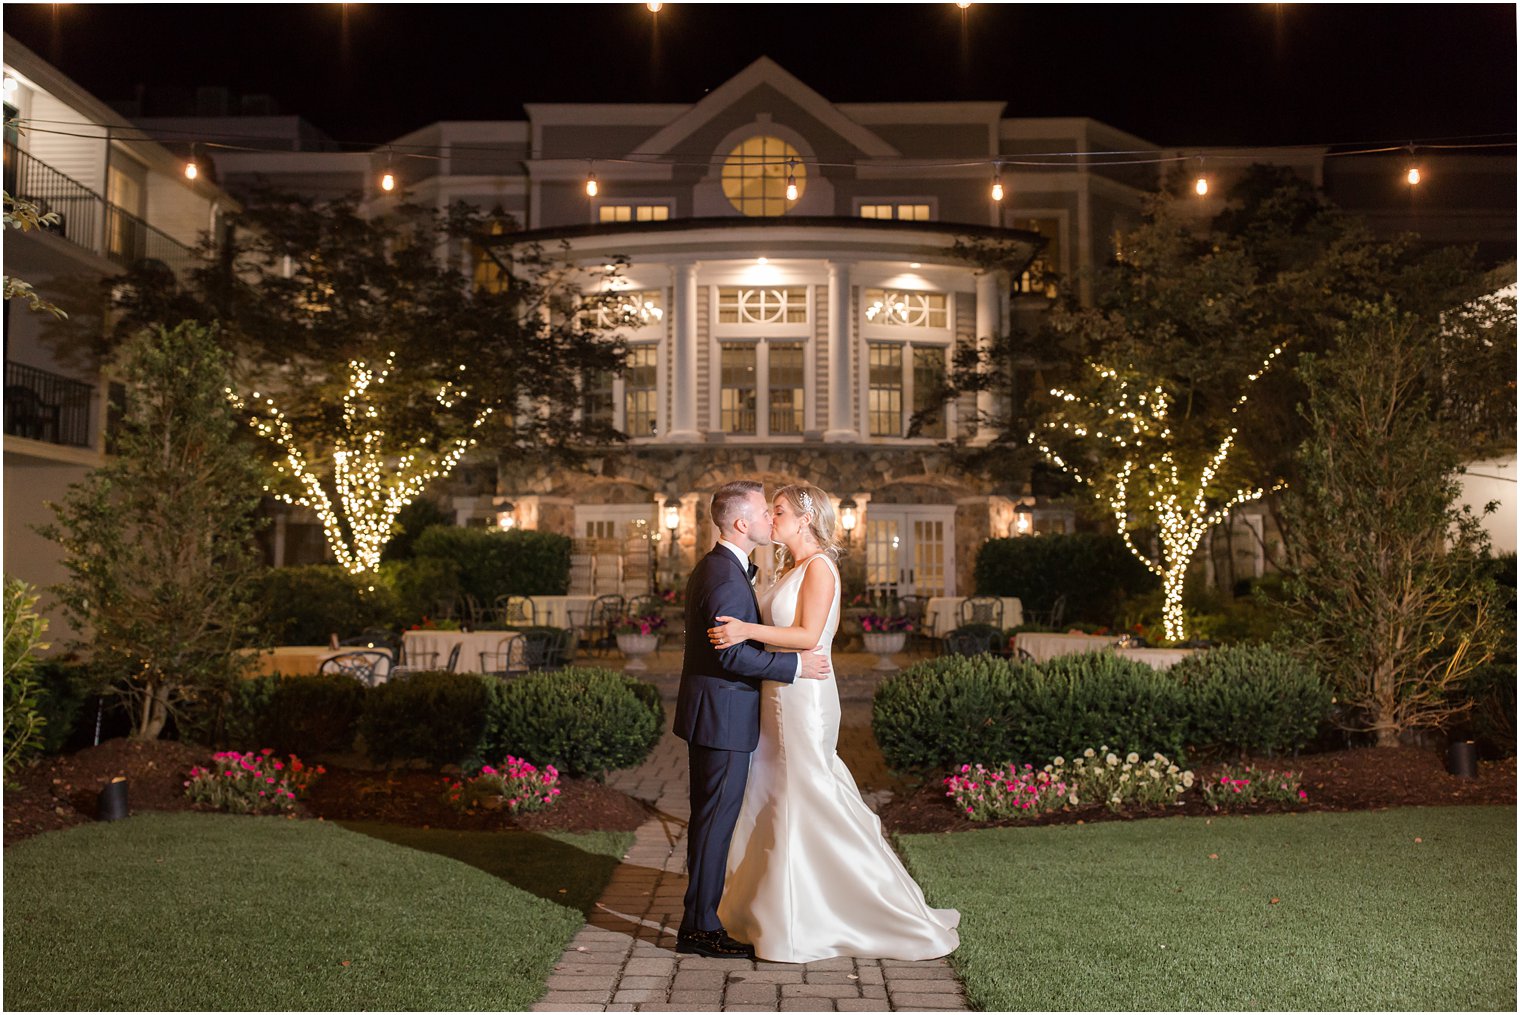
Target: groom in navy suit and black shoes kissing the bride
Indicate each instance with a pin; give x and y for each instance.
(718, 712)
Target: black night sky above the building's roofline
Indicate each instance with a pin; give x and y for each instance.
(1174, 75)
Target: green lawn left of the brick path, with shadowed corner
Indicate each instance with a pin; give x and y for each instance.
(192, 912)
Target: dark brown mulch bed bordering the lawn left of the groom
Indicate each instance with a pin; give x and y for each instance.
(60, 792)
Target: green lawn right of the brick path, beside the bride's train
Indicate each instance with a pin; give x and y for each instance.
(1136, 915)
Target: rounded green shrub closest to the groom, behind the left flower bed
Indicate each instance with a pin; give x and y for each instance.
(583, 721)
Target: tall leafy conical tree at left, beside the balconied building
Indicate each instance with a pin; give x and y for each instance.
(159, 542)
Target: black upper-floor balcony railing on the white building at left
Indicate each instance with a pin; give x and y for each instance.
(83, 213)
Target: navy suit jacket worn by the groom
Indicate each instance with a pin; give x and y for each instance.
(720, 701)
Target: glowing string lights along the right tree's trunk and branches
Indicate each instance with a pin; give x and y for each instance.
(1135, 422)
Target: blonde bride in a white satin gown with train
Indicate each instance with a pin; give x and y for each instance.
(809, 873)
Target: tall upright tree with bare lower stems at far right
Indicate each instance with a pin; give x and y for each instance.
(1387, 590)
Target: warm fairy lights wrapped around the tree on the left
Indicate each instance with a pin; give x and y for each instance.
(370, 479)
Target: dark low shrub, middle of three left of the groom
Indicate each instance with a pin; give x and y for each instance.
(434, 716)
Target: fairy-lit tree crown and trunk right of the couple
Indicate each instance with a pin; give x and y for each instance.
(1142, 476)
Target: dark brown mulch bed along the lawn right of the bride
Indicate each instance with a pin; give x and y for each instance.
(1361, 779)
